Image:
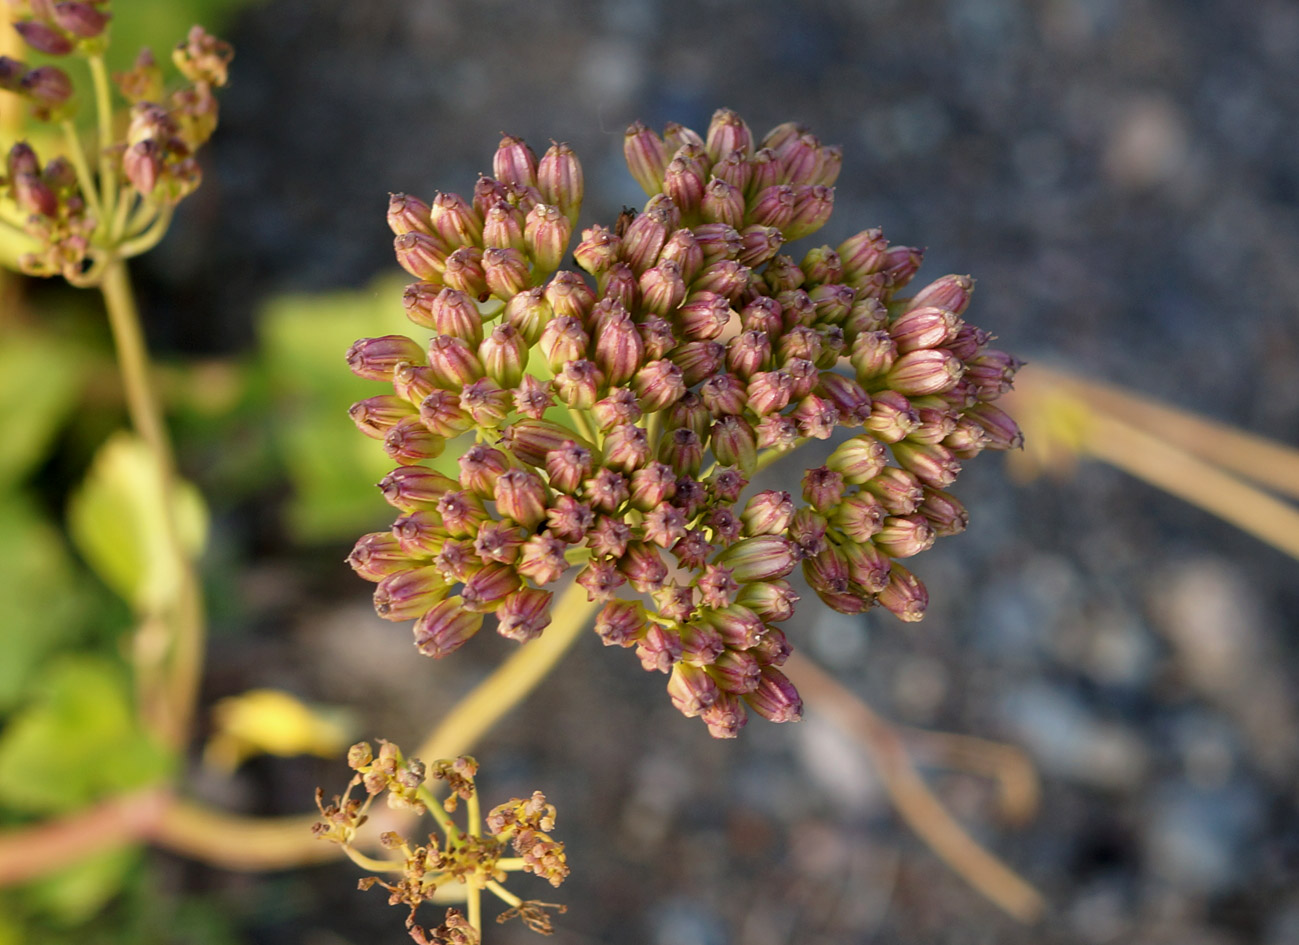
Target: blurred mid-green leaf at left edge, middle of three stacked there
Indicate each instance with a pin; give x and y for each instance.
(42, 605)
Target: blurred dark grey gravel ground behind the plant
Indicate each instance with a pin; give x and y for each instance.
(1123, 179)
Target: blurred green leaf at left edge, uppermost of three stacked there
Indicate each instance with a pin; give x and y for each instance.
(41, 379)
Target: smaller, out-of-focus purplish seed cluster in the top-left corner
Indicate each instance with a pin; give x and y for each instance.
(69, 223)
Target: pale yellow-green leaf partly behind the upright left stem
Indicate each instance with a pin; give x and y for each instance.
(118, 523)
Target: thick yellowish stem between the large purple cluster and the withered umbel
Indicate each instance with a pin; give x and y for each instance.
(512, 680)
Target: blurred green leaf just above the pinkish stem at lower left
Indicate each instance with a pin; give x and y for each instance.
(79, 742)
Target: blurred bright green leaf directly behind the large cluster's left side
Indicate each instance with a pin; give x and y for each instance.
(332, 467)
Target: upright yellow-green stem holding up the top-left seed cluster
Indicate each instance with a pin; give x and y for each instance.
(170, 688)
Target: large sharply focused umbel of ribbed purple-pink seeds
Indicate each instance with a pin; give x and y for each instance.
(619, 411)
